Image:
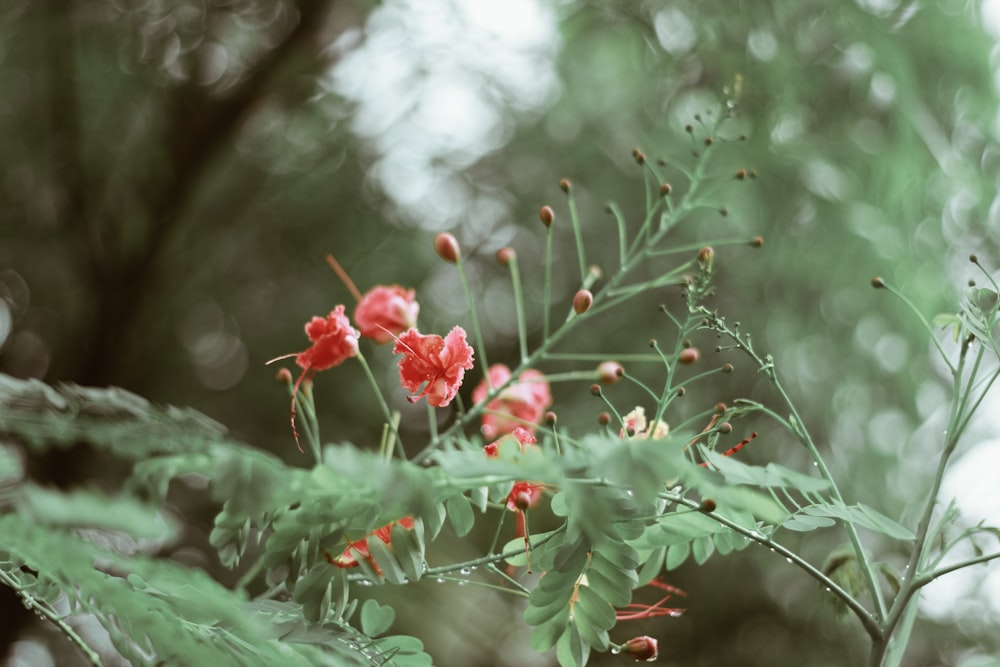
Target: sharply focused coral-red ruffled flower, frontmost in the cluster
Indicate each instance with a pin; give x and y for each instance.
(434, 363)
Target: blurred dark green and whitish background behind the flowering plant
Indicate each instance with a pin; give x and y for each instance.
(172, 173)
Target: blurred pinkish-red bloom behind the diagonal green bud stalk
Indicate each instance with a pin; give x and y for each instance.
(522, 403)
